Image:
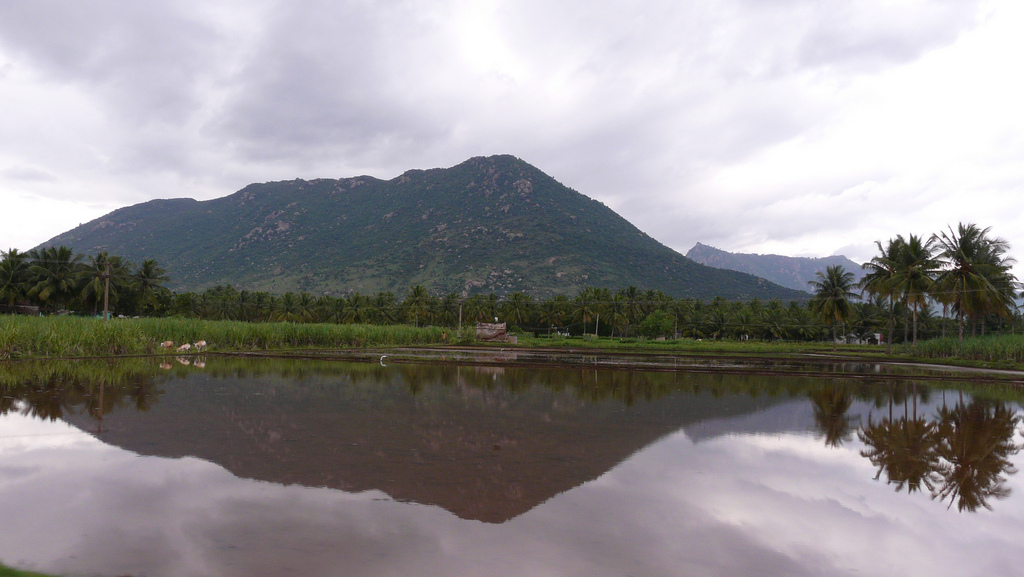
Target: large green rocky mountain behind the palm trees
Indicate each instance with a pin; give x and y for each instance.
(489, 225)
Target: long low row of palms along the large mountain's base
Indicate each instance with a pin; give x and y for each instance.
(620, 314)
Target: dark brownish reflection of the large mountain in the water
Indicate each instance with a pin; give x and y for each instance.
(487, 454)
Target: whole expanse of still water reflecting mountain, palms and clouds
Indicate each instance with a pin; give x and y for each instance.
(232, 468)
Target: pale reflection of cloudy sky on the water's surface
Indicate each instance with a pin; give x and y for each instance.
(739, 506)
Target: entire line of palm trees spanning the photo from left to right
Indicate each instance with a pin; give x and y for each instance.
(966, 273)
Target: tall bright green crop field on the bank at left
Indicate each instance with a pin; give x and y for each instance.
(23, 338)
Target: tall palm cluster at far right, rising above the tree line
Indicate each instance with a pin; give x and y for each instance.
(967, 271)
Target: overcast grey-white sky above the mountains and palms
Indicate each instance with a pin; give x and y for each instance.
(798, 128)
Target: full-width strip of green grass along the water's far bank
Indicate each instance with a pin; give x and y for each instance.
(67, 338)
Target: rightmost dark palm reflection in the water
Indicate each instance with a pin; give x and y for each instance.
(975, 442)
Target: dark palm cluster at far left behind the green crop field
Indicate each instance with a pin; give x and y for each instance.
(56, 279)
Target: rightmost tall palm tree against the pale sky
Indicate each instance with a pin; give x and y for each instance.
(976, 278)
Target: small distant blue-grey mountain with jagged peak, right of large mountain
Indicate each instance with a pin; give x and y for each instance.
(793, 272)
